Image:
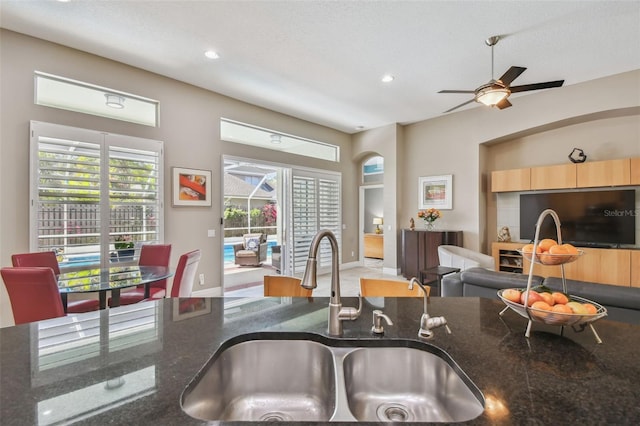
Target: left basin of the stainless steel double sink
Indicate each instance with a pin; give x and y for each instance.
(265, 380)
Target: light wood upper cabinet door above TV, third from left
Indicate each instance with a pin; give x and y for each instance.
(604, 173)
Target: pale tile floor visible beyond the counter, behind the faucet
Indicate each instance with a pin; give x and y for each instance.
(349, 281)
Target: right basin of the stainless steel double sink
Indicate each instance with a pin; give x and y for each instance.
(406, 385)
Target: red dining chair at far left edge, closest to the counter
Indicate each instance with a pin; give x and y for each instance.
(33, 293)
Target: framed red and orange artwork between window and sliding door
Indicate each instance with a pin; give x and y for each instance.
(191, 187)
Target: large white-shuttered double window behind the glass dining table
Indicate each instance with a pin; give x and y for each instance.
(94, 196)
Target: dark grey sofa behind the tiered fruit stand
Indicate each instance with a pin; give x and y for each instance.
(622, 303)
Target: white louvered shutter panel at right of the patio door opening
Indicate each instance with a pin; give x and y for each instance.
(315, 205)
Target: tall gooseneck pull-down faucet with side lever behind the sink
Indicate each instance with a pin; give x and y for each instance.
(337, 313)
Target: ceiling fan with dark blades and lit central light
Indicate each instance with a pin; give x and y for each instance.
(496, 92)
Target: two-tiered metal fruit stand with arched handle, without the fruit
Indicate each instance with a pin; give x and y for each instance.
(577, 321)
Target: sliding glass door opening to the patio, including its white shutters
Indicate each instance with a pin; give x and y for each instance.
(288, 206)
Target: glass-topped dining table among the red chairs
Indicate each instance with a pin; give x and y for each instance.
(111, 279)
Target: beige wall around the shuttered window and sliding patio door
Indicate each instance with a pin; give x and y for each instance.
(189, 128)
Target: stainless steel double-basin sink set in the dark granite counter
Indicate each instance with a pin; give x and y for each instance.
(309, 377)
